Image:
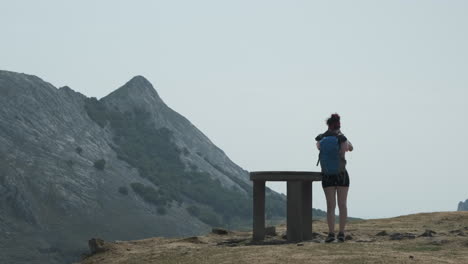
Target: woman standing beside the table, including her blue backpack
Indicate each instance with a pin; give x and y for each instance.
(335, 182)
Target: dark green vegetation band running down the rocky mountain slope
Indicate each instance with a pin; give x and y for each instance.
(157, 159)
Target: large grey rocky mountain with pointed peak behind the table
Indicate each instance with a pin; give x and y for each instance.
(123, 167)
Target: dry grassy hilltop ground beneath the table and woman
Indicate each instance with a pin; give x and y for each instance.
(403, 242)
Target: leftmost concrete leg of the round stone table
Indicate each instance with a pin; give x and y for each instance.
(258, 210)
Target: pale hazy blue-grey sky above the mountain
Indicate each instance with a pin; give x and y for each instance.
(259, 79)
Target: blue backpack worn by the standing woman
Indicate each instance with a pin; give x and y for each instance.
(329, 156)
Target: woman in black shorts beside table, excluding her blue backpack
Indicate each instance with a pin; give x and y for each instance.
(336, 185)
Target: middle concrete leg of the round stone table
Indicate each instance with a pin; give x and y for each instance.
(294, 211)
